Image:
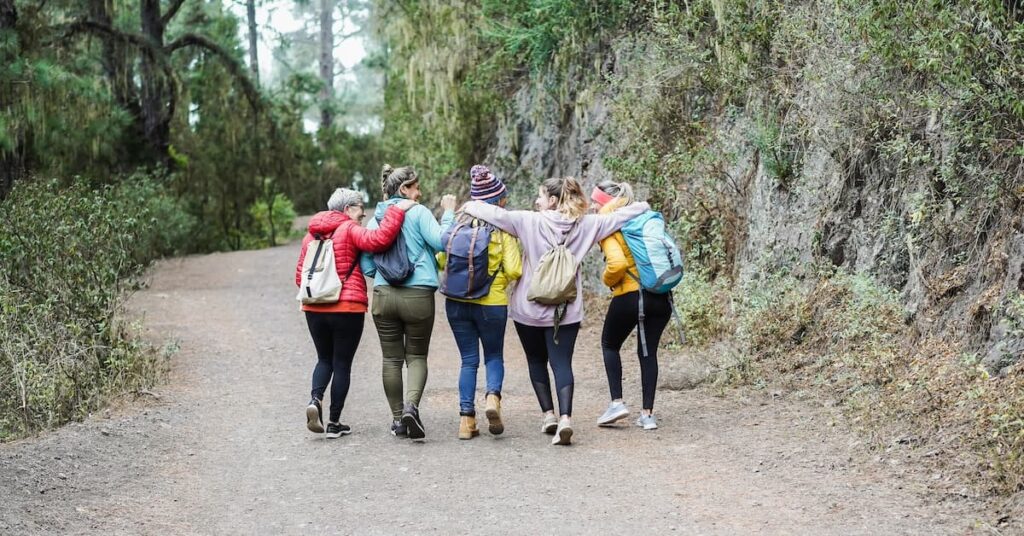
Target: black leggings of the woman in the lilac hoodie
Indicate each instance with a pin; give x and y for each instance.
(540, 347)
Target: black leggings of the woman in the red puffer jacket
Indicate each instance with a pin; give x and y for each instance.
(336, 337)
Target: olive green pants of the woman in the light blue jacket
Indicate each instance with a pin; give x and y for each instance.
(405, 320)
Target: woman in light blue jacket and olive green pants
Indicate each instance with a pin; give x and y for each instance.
(405, 314)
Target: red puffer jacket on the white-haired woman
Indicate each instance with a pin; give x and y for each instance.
(351, 240)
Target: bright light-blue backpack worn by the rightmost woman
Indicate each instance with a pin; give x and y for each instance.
(659, 262)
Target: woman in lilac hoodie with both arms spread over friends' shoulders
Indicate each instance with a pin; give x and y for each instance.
(561, 218)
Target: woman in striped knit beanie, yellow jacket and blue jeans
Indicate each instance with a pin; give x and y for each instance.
(482, 322)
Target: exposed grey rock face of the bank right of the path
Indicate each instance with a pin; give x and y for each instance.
(956, 260)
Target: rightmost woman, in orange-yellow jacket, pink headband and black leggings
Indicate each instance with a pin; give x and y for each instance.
(622, 277)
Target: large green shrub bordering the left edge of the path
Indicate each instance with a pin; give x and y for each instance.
(68, 256)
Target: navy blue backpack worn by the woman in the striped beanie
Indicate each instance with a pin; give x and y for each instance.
(466, 274)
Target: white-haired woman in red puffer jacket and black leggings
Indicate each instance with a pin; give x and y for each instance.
(337, 328)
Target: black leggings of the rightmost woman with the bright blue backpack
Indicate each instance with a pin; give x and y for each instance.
(624, 314)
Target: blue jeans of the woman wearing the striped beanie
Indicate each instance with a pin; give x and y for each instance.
(473, 326)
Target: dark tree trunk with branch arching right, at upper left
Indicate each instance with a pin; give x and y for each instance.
(157, 121)
